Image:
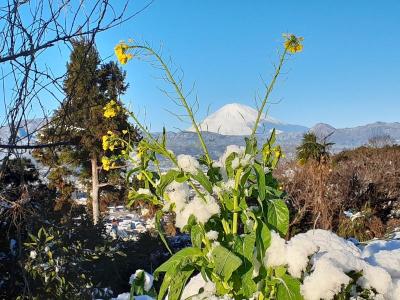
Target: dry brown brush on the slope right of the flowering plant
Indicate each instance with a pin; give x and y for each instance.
(318, 194)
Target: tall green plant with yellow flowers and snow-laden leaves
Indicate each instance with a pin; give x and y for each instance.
(229, 206)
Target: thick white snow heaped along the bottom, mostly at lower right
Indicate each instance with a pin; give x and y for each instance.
(331, 259)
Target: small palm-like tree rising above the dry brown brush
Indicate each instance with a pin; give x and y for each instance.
(313, 149)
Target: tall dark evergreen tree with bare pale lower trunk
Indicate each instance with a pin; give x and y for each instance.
(88, 86)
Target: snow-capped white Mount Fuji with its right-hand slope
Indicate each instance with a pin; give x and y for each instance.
(239, 119)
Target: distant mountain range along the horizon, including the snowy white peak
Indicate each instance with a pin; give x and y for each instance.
(218, 134)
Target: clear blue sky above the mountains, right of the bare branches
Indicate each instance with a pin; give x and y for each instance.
(347, 75)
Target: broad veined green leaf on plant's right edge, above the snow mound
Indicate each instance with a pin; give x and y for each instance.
(278, 216)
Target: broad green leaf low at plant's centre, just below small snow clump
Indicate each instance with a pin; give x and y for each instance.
(225, 262)
